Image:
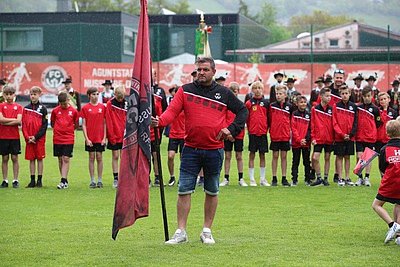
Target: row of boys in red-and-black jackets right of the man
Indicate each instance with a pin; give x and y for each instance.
(337, 125)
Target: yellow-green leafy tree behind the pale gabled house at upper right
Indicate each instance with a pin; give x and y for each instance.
(319, 19)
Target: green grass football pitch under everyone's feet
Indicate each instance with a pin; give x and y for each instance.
(298, 226)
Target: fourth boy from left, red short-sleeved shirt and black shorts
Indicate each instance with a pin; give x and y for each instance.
(94, 131)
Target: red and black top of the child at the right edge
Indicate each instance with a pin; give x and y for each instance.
(389, 164)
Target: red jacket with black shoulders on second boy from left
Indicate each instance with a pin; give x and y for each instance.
(34, 121)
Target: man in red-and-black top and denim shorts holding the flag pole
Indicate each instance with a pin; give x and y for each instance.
(205, 104)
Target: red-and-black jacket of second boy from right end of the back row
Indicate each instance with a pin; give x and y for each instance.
(369, 121)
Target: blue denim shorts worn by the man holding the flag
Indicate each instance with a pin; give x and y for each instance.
(192, 160)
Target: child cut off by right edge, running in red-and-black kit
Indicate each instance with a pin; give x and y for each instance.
(389, 189)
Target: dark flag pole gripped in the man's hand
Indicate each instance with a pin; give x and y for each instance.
(160, 176)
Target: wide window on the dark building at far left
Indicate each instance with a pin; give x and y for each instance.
(23, 39)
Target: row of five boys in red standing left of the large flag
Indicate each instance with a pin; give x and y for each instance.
(98, 123)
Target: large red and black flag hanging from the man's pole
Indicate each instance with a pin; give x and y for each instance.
(132, 200)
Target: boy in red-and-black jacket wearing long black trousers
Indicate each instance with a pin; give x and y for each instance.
(300, 125)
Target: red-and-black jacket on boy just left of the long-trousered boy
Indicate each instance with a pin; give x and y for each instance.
(279, 121)
